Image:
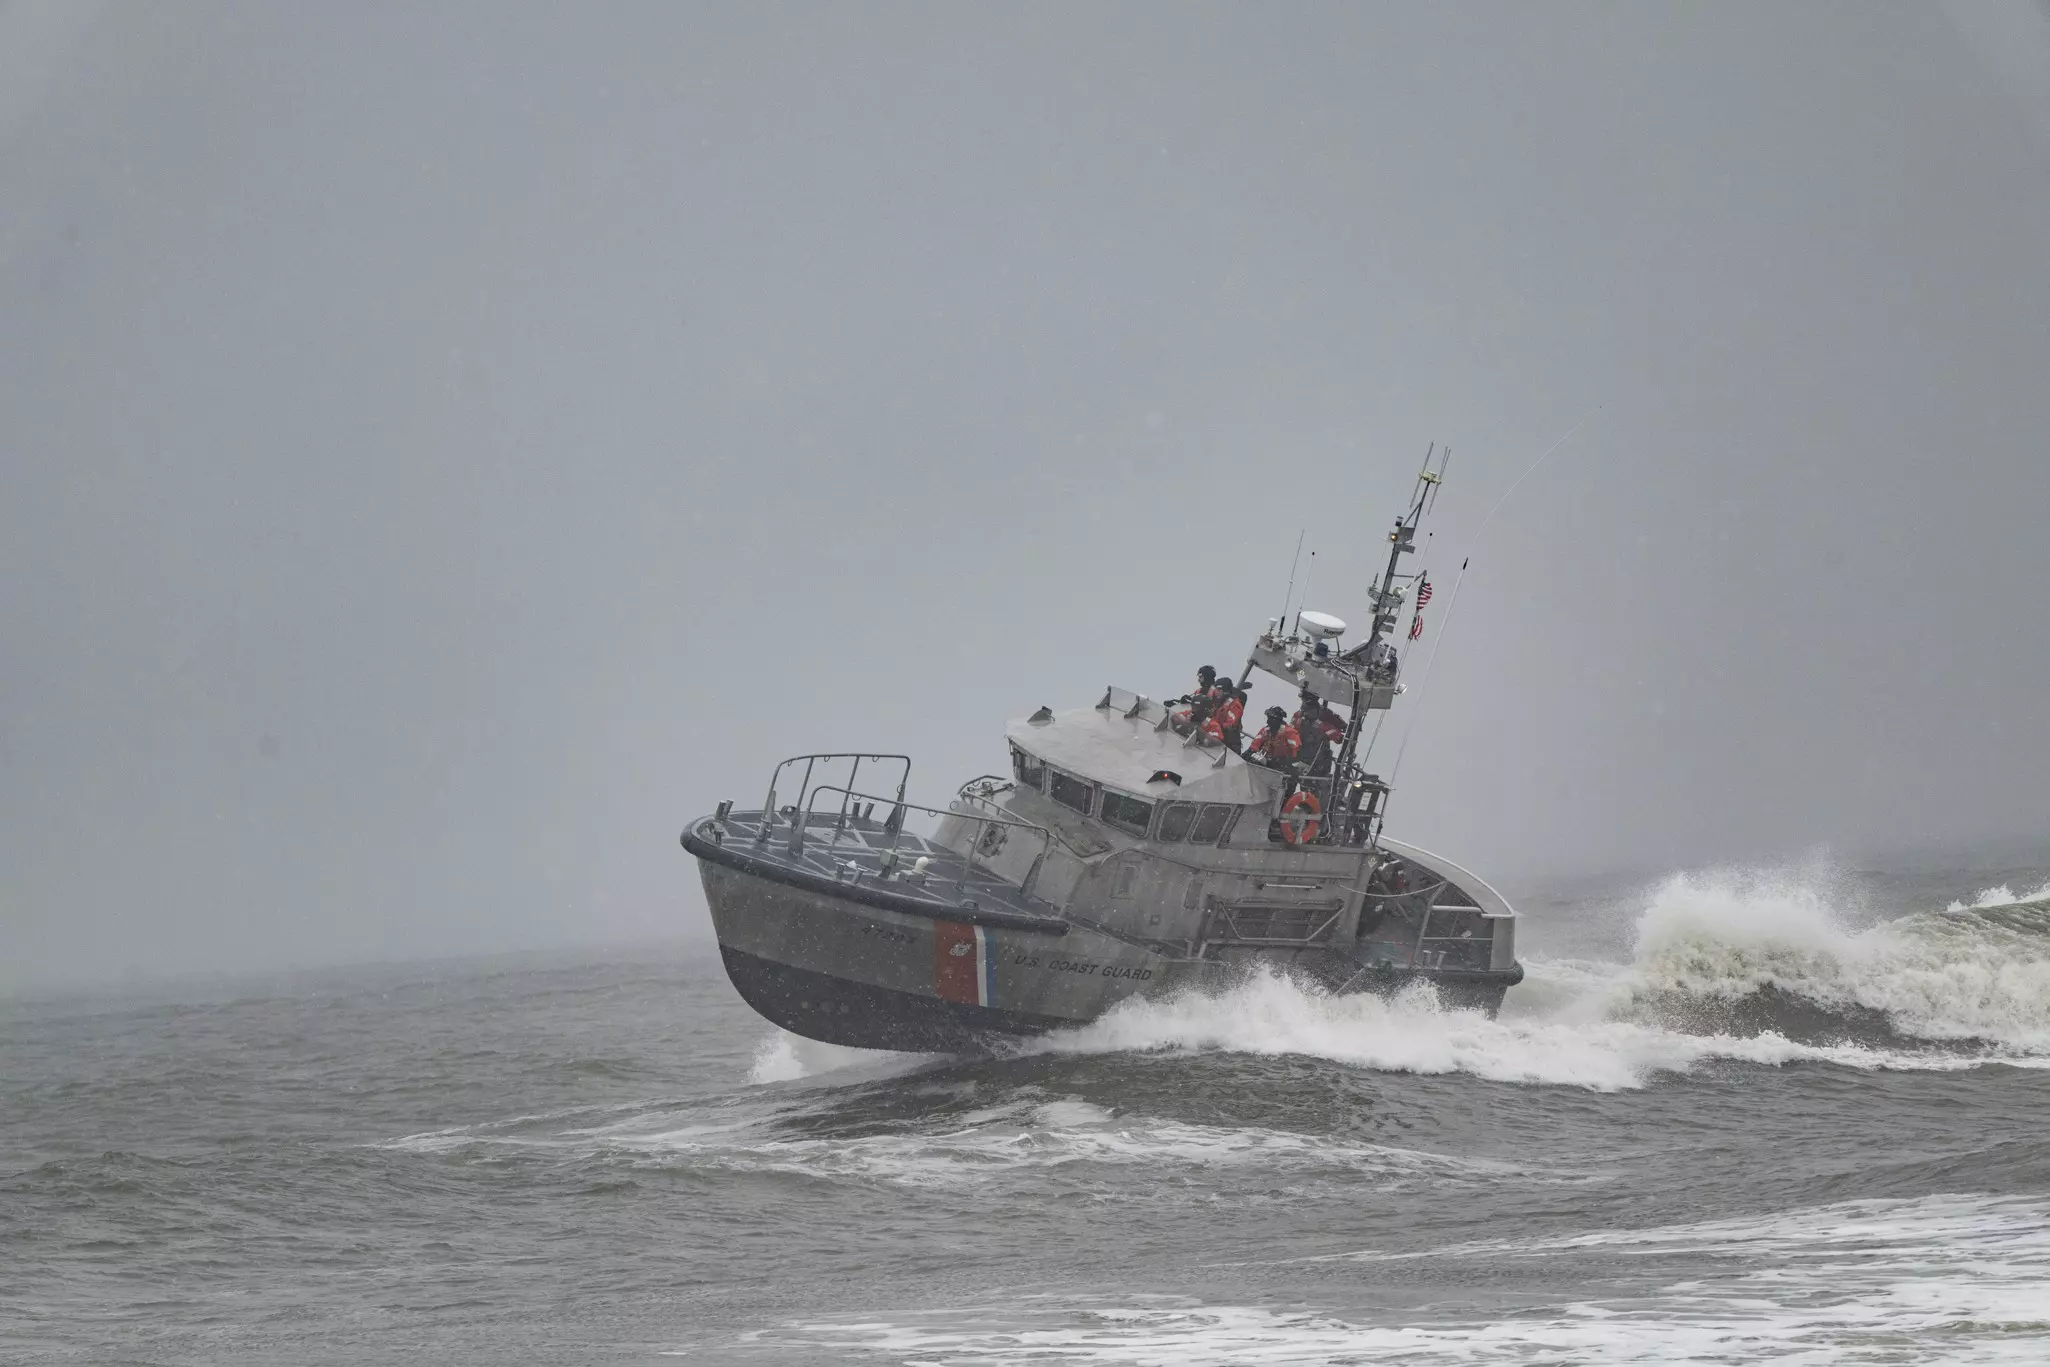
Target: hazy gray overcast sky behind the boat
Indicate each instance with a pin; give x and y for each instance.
(446, 448)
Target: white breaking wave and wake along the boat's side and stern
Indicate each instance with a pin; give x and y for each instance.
(1739, 970)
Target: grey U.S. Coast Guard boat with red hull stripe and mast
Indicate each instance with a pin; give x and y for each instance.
(1131, 850)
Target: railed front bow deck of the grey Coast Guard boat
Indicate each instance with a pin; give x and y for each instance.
(852, 858)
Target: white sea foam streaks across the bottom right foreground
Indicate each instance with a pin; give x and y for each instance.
(1955, 1280)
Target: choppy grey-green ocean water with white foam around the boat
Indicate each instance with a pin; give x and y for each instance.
(1737, 1118)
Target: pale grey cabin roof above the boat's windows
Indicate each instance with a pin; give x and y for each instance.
(1120, 751)
